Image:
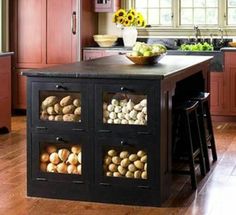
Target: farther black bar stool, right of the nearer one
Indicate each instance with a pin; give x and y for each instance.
(205, 124)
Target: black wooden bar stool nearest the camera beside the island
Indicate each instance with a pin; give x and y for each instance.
(187, 144)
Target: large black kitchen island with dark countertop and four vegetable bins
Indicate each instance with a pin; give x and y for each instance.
(100, 130)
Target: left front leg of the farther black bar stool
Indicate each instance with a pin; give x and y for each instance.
(203, 136)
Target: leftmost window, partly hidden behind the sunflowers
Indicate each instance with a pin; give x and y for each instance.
(156, 12)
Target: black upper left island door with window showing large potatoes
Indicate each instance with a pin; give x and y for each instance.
(59, 105)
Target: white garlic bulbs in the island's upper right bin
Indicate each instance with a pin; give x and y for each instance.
(125, 112)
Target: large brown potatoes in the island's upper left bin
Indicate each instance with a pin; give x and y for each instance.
(66, 109)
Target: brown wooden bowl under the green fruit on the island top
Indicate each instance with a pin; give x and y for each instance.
(145, 60)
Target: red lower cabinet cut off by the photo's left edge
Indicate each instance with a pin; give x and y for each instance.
(5, 93)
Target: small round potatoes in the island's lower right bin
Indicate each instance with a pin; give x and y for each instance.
(125, 164)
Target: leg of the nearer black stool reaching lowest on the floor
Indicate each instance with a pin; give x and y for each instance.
(188, 139)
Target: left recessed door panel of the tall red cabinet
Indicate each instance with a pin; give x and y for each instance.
(30, 39)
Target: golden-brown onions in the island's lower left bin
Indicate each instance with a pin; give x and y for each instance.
(61, 160)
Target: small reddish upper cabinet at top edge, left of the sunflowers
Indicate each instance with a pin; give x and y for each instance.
(107, 5)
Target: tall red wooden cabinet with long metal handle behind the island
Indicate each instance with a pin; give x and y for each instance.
(47, 32)
